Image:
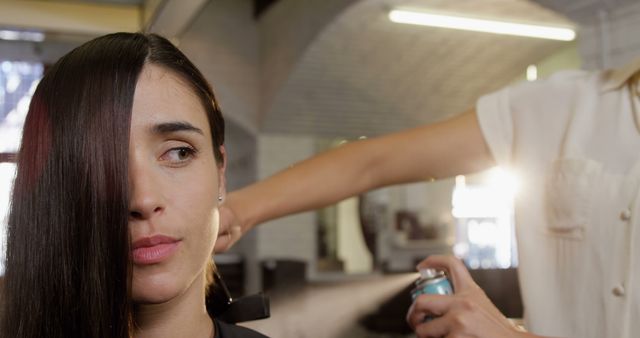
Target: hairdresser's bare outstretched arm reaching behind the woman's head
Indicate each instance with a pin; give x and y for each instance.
(438, 150)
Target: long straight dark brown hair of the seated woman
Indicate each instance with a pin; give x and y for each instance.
(68, 272)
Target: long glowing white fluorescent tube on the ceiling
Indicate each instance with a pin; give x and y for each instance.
(481, 25)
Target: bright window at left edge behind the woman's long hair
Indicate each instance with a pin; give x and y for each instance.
(18, 81)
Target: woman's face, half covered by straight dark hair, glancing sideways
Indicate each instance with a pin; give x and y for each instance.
(175, 183)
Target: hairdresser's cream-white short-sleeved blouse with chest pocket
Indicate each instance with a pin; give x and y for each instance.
(574, 141)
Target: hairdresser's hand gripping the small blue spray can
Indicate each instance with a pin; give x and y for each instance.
(466, 313)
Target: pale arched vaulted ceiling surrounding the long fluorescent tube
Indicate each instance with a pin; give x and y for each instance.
(375, 76)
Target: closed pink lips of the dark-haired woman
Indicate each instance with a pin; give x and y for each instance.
(153, 250)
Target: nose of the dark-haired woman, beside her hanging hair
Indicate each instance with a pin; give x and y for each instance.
(145, 196)
